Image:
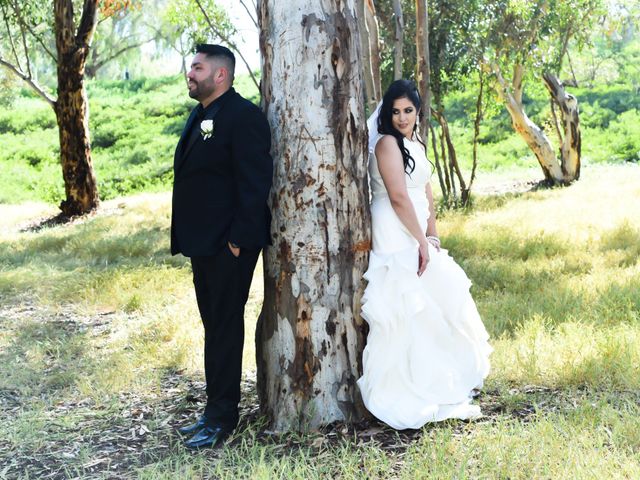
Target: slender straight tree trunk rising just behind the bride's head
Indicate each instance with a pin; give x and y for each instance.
(423, 73)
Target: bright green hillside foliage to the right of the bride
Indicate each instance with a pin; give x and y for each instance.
(610, 126)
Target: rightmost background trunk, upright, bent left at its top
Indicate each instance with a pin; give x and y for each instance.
(572, 142)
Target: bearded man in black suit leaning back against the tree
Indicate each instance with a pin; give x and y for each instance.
(220, 218)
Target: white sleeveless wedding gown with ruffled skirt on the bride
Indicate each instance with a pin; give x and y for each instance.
(427, 348)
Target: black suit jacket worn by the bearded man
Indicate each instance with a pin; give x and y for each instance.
(221, 184)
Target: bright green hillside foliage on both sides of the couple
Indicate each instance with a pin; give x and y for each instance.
(135, 126)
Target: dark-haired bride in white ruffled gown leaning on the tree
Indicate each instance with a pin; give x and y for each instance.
(427, 349)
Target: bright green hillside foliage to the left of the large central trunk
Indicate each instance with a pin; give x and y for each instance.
(135, 126)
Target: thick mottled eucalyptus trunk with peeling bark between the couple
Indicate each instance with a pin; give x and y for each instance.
(310, 337)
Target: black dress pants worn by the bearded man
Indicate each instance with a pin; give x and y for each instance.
(222, 283)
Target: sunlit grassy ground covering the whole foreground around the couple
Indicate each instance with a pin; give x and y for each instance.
(100, 349)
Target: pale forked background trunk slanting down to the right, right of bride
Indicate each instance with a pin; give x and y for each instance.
(538, 142)
